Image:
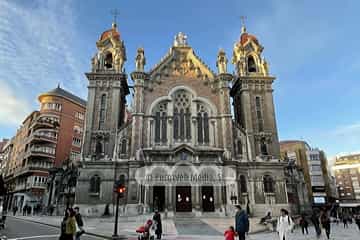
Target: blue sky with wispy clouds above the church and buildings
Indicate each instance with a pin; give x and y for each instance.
(311, 46)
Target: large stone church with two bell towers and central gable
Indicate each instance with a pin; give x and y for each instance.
(183, 148)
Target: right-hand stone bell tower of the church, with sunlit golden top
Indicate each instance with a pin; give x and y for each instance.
(253, 98)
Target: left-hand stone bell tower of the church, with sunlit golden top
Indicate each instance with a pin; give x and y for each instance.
(107, 90)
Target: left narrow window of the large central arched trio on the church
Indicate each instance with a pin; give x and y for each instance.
(161, 123)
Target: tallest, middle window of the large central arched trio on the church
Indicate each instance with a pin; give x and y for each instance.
(182, 116)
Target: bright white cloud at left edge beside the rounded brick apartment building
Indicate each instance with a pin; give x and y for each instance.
(13, 109)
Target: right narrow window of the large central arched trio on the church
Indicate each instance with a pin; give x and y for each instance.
(203, 124)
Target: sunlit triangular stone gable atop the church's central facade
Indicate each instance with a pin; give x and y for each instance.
(181, 61)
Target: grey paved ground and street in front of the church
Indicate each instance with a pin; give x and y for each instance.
(179, 229)
